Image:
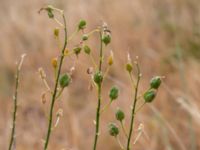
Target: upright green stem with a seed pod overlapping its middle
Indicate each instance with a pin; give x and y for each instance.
(99, 95)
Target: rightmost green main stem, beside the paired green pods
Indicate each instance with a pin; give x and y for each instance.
(133, 107)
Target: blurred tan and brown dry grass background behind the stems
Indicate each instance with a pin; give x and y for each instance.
(165, 34)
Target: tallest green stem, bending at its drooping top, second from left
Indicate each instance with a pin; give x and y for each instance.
(55, 87)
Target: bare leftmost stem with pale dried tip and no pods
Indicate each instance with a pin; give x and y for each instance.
(12, 137)
